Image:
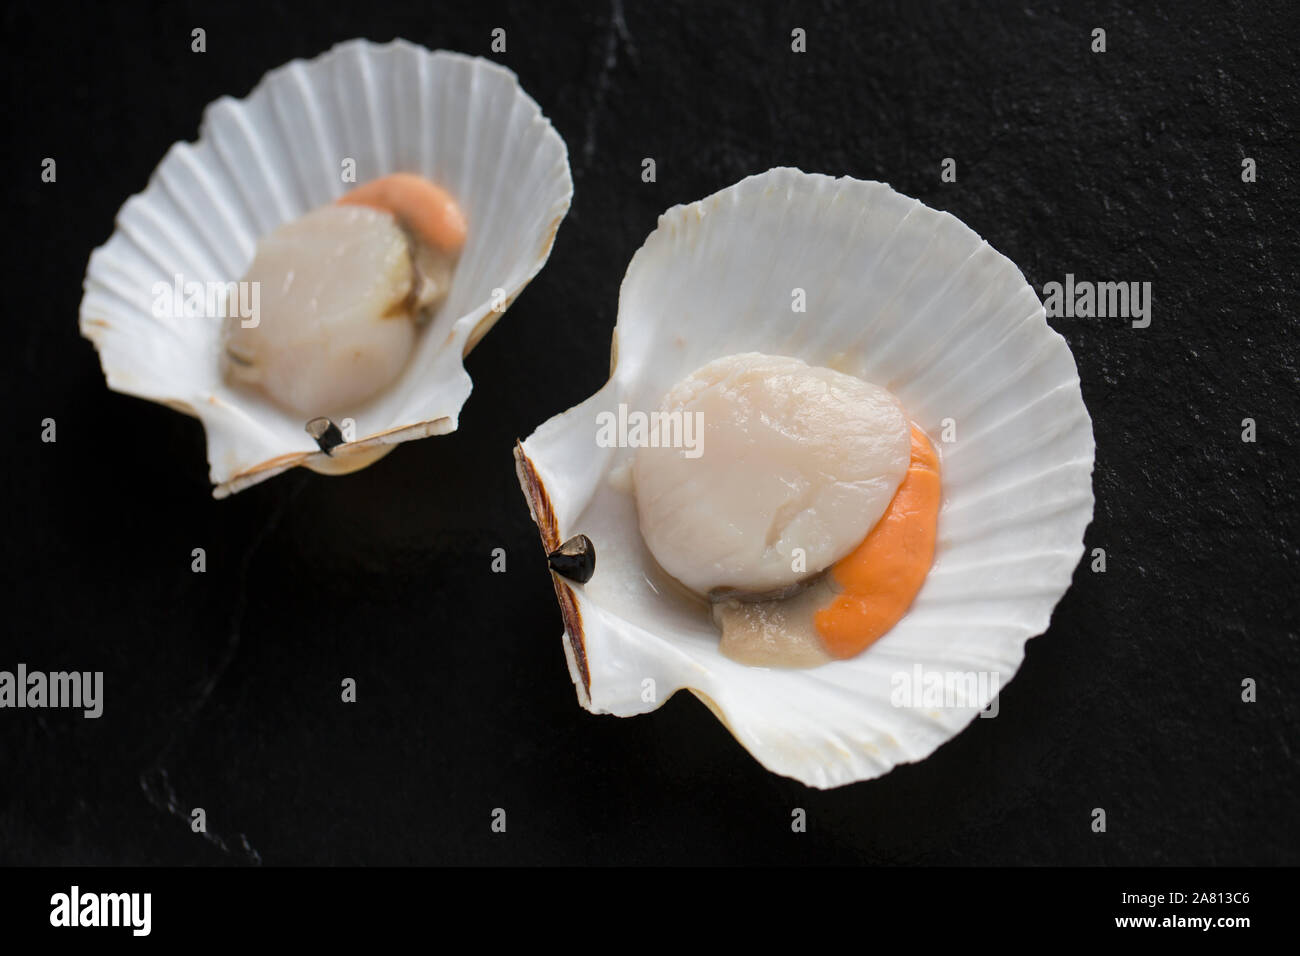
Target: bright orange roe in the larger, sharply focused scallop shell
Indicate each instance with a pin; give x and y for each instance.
(881, 577)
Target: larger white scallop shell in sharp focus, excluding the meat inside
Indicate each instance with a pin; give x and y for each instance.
(904, 297)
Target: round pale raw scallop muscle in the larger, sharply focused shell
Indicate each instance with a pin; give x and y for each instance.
(796, 466)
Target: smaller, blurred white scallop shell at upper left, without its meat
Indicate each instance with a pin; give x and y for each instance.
(462, 122)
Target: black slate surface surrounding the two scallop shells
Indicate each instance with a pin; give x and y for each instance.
(223, 690)
